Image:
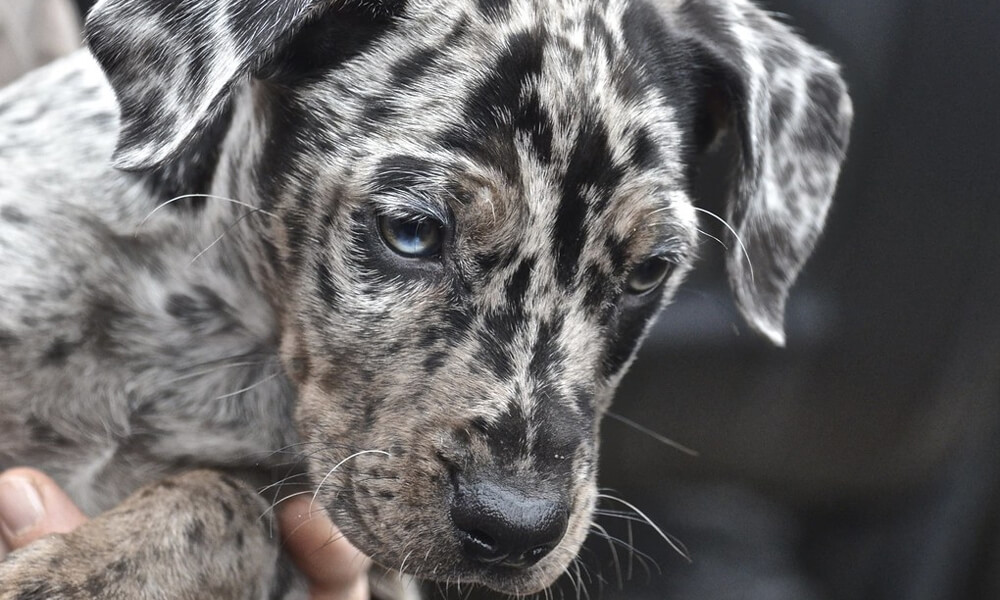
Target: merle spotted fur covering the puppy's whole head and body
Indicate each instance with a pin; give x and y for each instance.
(194, 281)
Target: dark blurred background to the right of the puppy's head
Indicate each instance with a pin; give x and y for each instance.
(862, 462)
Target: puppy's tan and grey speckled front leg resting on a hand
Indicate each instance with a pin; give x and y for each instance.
(195, 536)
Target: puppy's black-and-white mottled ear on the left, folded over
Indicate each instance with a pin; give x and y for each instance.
(173, 63)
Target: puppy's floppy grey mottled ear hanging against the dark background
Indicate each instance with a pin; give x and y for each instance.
(789, 107)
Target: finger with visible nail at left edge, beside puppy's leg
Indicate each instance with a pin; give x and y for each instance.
(31, 506)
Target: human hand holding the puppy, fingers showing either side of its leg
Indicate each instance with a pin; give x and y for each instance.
(32, 506)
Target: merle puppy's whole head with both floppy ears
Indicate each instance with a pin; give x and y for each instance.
(478, 207)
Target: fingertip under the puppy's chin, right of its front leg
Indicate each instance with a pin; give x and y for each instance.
(335, 569)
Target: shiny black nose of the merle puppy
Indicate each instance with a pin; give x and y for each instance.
(500, 524)
